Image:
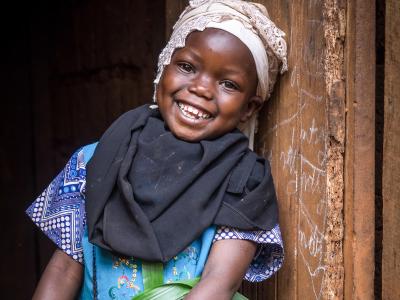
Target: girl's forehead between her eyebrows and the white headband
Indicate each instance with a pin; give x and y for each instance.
(220, 44)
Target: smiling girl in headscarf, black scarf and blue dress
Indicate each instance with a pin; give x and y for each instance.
(173, 198)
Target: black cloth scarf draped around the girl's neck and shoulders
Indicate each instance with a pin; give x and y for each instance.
(149, 194)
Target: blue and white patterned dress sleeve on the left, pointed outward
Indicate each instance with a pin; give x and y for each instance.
(59, 211)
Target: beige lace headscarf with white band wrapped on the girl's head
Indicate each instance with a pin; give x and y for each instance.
(251, 24)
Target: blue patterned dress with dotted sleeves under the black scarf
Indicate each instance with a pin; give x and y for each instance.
(59, 212)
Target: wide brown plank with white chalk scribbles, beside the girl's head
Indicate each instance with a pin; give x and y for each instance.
(293, 134)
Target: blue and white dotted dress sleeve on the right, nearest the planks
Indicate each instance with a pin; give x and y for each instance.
(269, 256)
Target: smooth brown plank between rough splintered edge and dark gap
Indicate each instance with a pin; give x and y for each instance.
(360, 149)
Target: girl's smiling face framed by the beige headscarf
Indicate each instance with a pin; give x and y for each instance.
(209, 86)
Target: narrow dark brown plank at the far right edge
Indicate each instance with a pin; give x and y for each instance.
(391, 158)
